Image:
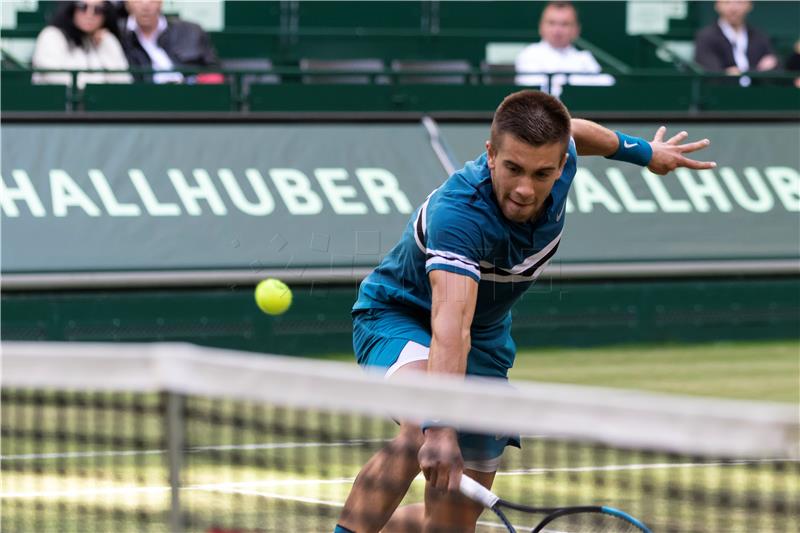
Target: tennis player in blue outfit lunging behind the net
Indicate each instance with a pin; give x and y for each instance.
(440, 300)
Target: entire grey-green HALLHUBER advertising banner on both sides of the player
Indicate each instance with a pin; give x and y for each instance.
(139, 197)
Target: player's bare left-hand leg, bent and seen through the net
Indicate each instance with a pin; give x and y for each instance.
(384, 480)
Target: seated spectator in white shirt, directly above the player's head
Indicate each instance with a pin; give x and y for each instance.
(555, 53)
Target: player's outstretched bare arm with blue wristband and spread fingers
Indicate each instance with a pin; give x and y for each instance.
(658, 155)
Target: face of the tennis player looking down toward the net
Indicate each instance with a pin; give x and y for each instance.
(523, 175)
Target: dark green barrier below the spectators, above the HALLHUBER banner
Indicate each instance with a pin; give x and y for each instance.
(679, 95)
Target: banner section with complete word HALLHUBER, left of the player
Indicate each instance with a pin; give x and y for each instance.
(138, 197)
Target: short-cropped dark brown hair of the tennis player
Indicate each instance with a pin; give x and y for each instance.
(533, 117)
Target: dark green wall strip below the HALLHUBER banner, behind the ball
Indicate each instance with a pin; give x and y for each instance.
(553, 313)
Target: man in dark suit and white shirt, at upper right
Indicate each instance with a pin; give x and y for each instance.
(731, 45)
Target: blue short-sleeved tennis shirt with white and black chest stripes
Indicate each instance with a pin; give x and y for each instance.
(460, 228)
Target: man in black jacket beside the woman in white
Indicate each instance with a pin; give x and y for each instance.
(152, 40)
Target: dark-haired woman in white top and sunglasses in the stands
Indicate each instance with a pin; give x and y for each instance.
(81, 36)
